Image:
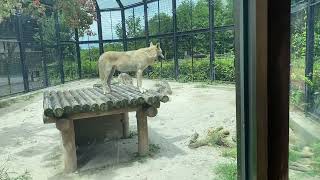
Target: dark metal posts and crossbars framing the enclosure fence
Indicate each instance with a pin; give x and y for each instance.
(211, 30)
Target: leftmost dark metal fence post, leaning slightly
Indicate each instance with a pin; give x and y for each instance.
(22, 52)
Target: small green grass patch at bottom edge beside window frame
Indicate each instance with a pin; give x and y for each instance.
(226, 171)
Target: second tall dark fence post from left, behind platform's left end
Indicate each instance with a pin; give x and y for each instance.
(58, 45)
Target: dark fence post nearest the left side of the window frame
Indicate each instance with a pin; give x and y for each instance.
(211, 27)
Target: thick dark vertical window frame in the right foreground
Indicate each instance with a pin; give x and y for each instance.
(263, 49)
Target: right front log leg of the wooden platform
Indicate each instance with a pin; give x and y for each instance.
(143, 144)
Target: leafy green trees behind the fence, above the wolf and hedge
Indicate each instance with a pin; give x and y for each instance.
(190, 15)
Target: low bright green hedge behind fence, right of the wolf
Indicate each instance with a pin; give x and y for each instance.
(224, 68)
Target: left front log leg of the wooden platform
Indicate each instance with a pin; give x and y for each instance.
(68, 140)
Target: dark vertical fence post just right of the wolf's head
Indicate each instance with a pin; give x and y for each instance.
(174, 24)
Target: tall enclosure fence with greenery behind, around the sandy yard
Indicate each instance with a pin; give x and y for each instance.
(195, 35)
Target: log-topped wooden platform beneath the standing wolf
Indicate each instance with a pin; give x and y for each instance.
(63, 107)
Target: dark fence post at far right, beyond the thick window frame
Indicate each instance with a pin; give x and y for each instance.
(309, 57)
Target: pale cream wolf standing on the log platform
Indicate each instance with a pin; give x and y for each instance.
(129, 61)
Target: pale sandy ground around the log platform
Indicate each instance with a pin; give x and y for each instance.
(28, 144)
